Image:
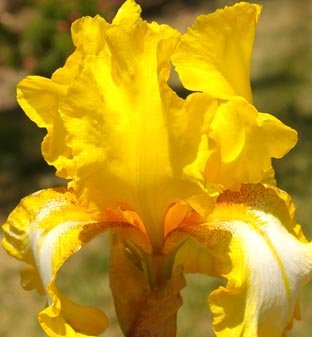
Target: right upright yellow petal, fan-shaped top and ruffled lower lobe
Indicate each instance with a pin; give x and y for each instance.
(214, 57)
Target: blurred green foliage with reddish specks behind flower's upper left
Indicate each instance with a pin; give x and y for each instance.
(44, 42)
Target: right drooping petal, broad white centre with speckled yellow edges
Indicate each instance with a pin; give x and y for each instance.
(251, 240)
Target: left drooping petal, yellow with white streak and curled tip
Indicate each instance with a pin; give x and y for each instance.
(44, 230)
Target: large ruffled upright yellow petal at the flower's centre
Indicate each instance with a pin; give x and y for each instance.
(116, 129)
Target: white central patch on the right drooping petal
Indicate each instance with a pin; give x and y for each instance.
(277, 265)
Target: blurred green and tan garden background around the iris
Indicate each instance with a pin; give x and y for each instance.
(35, 39)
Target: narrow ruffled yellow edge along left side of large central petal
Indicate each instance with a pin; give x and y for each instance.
(40, 97)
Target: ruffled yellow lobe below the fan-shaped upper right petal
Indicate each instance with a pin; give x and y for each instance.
(245, 142)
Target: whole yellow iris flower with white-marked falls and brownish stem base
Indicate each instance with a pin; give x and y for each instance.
(184, 185)
